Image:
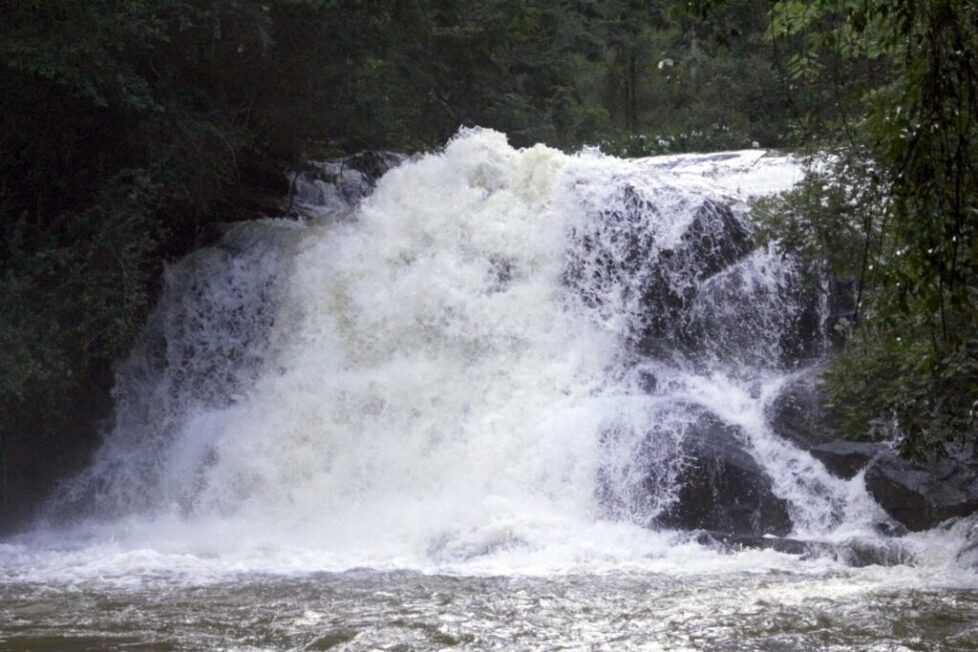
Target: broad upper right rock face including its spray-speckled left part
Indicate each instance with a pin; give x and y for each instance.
(701, 297)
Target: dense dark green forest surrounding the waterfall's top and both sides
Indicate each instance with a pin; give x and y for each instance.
(131, 127)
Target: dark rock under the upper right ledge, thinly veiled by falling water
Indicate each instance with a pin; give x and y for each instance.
(710, 300)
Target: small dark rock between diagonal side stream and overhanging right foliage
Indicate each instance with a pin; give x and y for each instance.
(799, 415)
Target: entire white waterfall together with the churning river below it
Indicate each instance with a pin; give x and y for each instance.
(455, 413)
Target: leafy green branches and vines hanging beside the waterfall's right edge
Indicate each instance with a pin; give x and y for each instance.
(913, 358)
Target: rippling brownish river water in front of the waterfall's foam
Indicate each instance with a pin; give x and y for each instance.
(802, 609)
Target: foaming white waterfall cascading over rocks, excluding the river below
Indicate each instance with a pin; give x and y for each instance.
(471, 361)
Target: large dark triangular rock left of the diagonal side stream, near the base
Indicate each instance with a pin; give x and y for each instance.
(722, 488)
